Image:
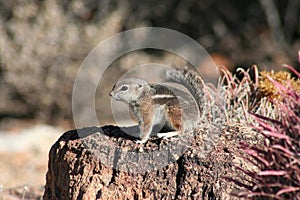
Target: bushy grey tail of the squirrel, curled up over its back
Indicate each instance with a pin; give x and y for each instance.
(191, 80)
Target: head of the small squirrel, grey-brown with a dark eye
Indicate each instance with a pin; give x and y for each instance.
(129, 90)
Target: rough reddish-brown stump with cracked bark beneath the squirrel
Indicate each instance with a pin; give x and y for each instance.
(106, 163)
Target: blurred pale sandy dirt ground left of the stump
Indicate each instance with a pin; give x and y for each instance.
(24, 159)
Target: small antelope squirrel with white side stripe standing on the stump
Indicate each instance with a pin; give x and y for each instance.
(157, 105)
